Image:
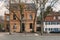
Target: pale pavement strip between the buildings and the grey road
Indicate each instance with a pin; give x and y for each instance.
(31, 34)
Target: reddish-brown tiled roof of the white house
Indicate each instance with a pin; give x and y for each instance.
(51, 17)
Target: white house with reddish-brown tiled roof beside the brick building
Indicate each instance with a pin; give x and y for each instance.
(52, 22)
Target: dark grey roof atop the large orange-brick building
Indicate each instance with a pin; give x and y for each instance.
(28, 6)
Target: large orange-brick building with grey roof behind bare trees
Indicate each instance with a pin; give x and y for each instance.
(12, 22)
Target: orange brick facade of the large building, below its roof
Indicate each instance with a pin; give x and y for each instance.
(28, 20)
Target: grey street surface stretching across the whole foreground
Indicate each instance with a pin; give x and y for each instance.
(30, 36)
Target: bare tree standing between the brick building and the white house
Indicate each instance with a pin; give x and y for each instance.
(43, 11)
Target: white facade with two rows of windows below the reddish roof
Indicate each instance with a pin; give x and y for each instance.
(51, 27)
